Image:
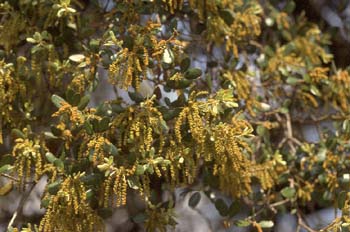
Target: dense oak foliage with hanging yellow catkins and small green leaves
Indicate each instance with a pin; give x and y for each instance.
(236, 123)
